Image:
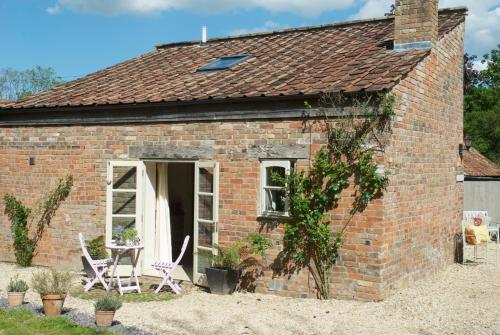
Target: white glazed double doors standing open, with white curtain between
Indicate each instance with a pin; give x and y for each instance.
(137, 197)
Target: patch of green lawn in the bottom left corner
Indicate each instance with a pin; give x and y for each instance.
(24, 322)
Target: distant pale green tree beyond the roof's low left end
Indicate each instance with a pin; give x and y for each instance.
(15, 84)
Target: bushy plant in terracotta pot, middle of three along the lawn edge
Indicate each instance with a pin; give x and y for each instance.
(52, 285)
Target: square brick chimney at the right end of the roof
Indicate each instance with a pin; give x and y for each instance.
(415, 24)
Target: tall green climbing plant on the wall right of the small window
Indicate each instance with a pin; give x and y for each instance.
(355, 130)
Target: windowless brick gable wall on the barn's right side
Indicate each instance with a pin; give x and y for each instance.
(424, 203)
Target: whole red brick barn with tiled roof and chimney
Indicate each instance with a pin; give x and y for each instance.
(178, 141)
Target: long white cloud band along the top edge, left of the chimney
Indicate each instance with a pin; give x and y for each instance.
(309, 8)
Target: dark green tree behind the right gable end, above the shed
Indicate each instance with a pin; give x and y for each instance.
(482, 108)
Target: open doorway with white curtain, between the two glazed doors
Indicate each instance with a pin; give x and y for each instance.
(168, 218)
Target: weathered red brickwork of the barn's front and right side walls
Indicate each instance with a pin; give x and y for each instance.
(406, 235)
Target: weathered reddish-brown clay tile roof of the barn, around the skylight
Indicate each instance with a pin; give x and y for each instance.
(342, 57)
